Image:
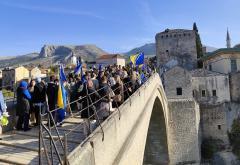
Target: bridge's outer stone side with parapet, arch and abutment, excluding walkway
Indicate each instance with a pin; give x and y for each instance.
(148, 130)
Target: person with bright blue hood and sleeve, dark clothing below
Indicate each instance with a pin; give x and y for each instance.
(23, 106)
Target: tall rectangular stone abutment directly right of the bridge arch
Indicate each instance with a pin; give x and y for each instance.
(184, 130)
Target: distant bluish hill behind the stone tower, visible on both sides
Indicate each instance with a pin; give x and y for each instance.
(150, 49)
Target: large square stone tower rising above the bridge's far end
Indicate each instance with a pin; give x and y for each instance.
(176, 47)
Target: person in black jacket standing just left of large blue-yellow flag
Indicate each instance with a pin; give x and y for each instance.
(52, 90)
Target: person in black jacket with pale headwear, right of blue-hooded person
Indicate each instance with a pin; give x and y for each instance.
(39, 98)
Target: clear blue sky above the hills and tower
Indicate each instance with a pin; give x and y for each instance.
(113, 25)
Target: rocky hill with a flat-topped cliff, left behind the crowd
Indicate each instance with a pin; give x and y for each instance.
(51, 54)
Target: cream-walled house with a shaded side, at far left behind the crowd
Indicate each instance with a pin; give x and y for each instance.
(11, 76)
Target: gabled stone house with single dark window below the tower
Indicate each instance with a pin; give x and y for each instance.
(177, 83)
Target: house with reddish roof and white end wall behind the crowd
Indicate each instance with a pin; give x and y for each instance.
(111, 59)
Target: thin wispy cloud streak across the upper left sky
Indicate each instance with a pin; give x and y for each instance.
(52, 10)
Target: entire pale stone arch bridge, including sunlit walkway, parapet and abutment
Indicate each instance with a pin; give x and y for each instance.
(147, 129)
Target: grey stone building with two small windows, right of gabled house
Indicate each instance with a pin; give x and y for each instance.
(210, 87)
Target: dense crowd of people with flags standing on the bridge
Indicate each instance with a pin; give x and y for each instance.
(95, 90)
